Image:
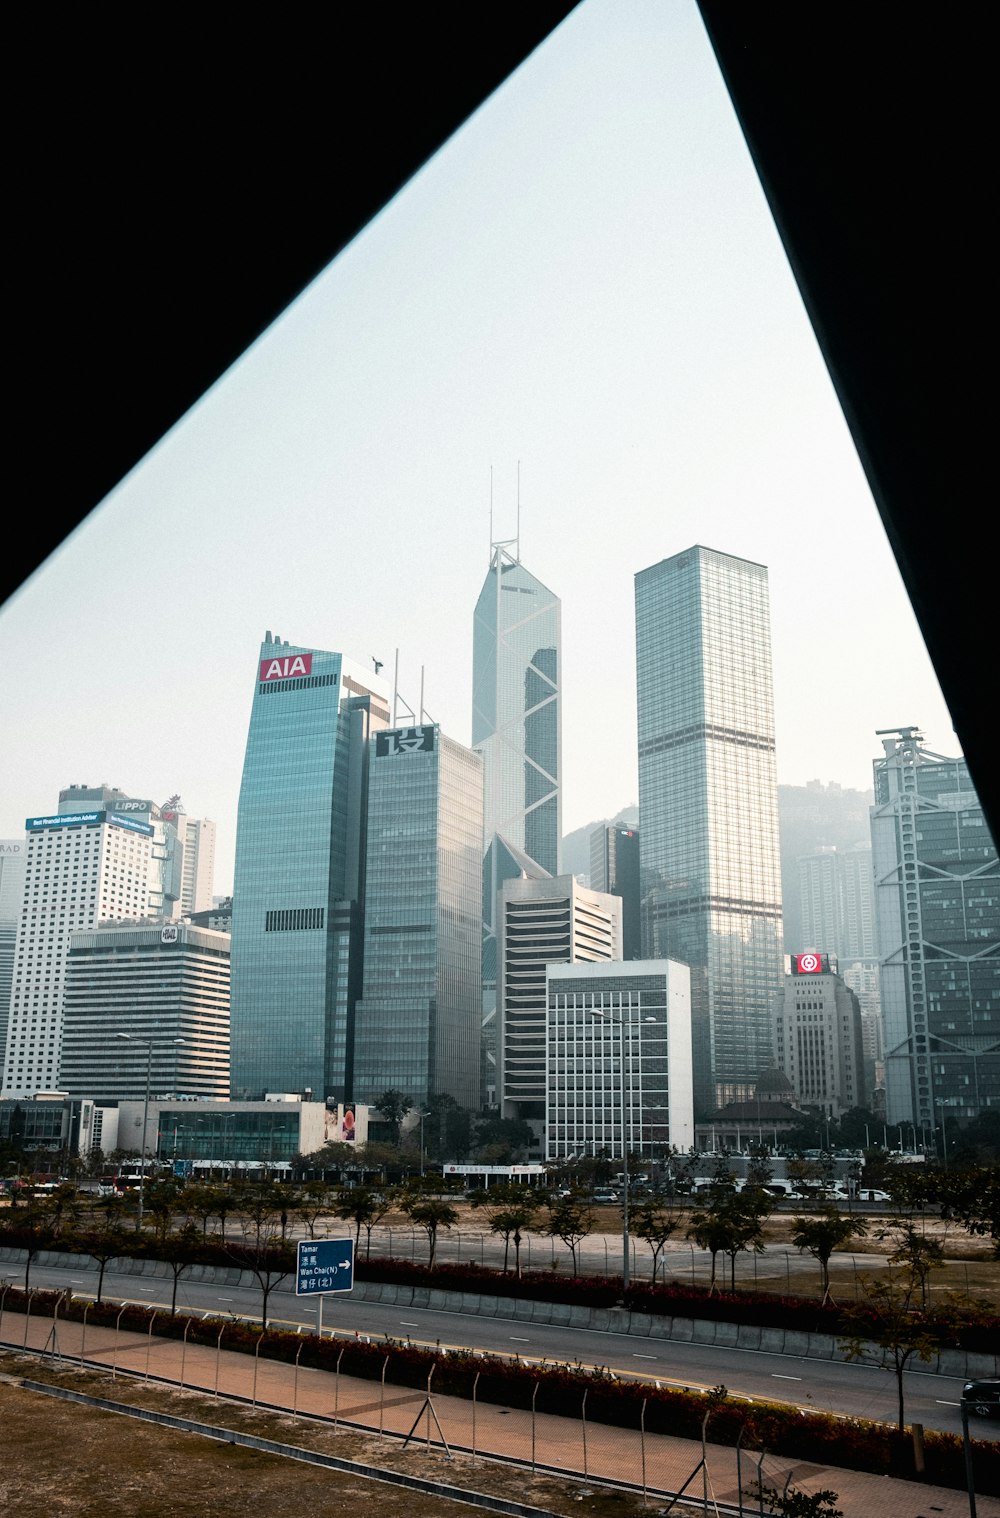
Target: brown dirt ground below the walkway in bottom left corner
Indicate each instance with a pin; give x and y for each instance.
(64, 1458)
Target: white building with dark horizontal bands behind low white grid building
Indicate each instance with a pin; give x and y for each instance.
(542, 924)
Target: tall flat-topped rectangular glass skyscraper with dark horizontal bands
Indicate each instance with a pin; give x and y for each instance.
(708, 805)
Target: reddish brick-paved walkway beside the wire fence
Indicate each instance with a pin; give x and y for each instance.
(582, 1449)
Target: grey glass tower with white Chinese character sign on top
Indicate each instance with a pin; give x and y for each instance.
(418, 1022)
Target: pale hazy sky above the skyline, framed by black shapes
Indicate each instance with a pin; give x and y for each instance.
(580, 304)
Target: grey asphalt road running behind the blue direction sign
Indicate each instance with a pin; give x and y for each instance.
(857, 1391)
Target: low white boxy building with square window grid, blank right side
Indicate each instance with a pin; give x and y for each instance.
(618, 1062)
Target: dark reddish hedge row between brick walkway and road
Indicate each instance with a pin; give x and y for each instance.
(822, 1438)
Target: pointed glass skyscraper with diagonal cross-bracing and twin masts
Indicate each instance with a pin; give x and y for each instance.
(517, 726)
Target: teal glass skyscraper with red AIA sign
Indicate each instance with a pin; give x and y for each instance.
(300, 868)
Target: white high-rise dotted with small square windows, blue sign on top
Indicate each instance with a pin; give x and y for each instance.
(83, 869)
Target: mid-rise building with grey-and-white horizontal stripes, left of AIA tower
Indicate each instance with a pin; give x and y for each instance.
(146, 1000)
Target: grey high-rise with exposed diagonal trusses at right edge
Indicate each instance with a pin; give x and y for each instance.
(939, 912)
